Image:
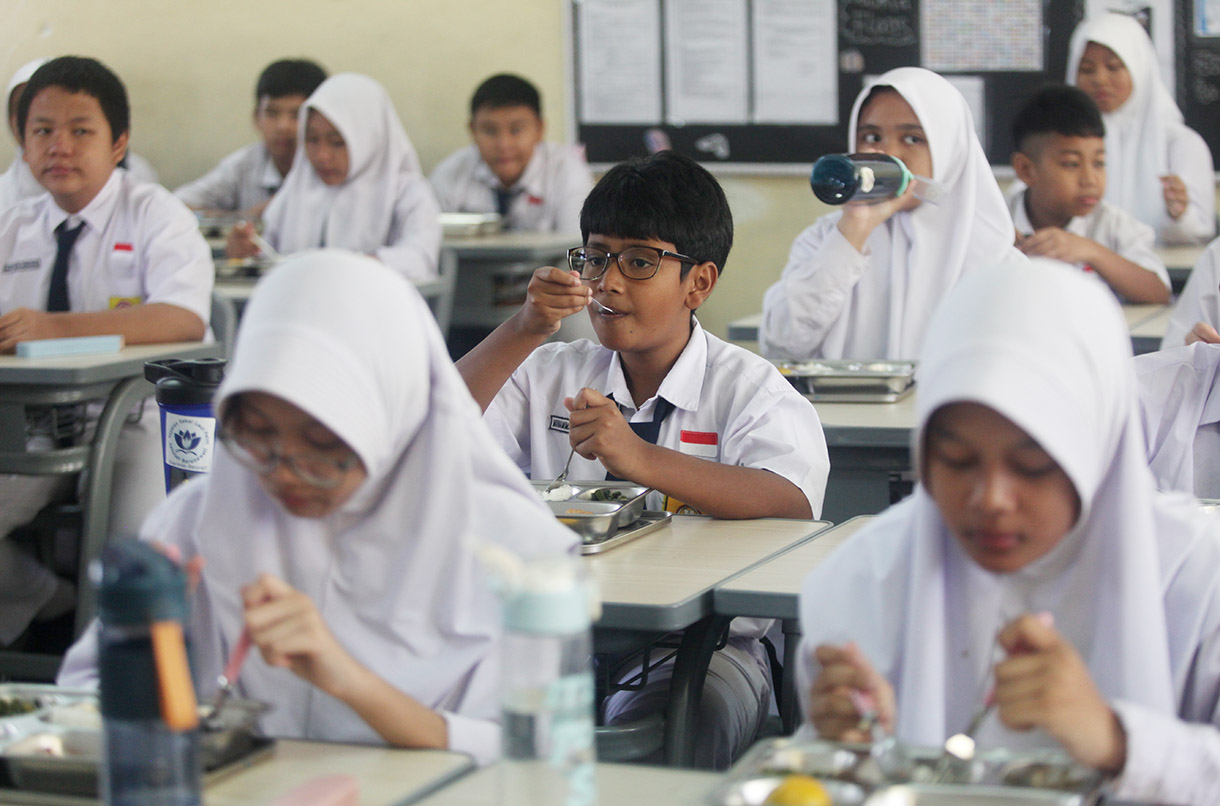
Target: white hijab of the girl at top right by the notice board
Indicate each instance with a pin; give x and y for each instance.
(1138, 135)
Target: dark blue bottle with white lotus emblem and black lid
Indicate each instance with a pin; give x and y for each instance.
(185, 392)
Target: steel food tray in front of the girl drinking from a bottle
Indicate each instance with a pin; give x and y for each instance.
(851, 381)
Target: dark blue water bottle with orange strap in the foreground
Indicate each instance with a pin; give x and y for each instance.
(148, 702)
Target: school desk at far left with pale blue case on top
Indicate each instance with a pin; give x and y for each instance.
(115, 377)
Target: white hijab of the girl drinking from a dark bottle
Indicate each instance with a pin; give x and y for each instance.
(934, 246)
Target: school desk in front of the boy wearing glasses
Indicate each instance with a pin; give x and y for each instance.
(664, 582)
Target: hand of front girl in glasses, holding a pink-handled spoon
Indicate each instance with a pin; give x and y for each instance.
(290, 632)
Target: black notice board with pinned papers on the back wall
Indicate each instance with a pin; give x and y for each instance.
(873, 37)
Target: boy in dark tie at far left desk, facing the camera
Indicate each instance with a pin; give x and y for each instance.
(101, 253)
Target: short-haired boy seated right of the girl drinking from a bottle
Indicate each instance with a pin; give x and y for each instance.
(1061, 158)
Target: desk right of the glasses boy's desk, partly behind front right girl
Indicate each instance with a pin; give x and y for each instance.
(772, 591)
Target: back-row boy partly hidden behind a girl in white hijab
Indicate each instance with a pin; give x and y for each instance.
(247, 180)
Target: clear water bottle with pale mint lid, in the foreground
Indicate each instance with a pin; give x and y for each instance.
(548, 690)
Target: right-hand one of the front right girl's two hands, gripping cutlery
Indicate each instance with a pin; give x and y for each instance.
(1045, 683)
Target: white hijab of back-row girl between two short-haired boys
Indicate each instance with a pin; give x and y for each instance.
(358, 214)
